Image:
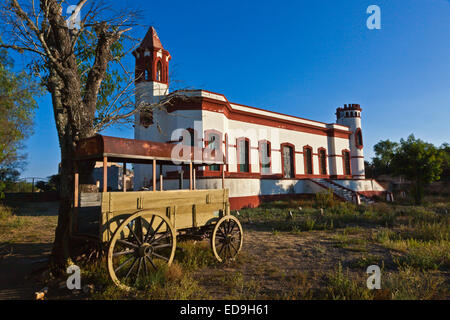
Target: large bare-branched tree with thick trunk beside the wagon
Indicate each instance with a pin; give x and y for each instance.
(72, 58)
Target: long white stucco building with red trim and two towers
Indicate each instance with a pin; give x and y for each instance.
(268, 154)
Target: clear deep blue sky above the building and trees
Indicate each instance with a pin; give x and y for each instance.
(304, 58)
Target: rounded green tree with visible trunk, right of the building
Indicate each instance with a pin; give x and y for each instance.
(419, 162)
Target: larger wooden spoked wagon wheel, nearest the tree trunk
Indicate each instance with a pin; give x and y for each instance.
(143, 242)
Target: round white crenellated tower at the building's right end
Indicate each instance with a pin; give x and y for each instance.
(350, 115)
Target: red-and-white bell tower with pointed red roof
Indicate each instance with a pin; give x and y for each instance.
(151, 74)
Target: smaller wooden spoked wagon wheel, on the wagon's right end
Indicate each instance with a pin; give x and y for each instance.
(227, 238)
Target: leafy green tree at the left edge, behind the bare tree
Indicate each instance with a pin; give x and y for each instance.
(17, 106)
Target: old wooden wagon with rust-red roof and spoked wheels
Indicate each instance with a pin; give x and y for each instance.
(140, 228)
